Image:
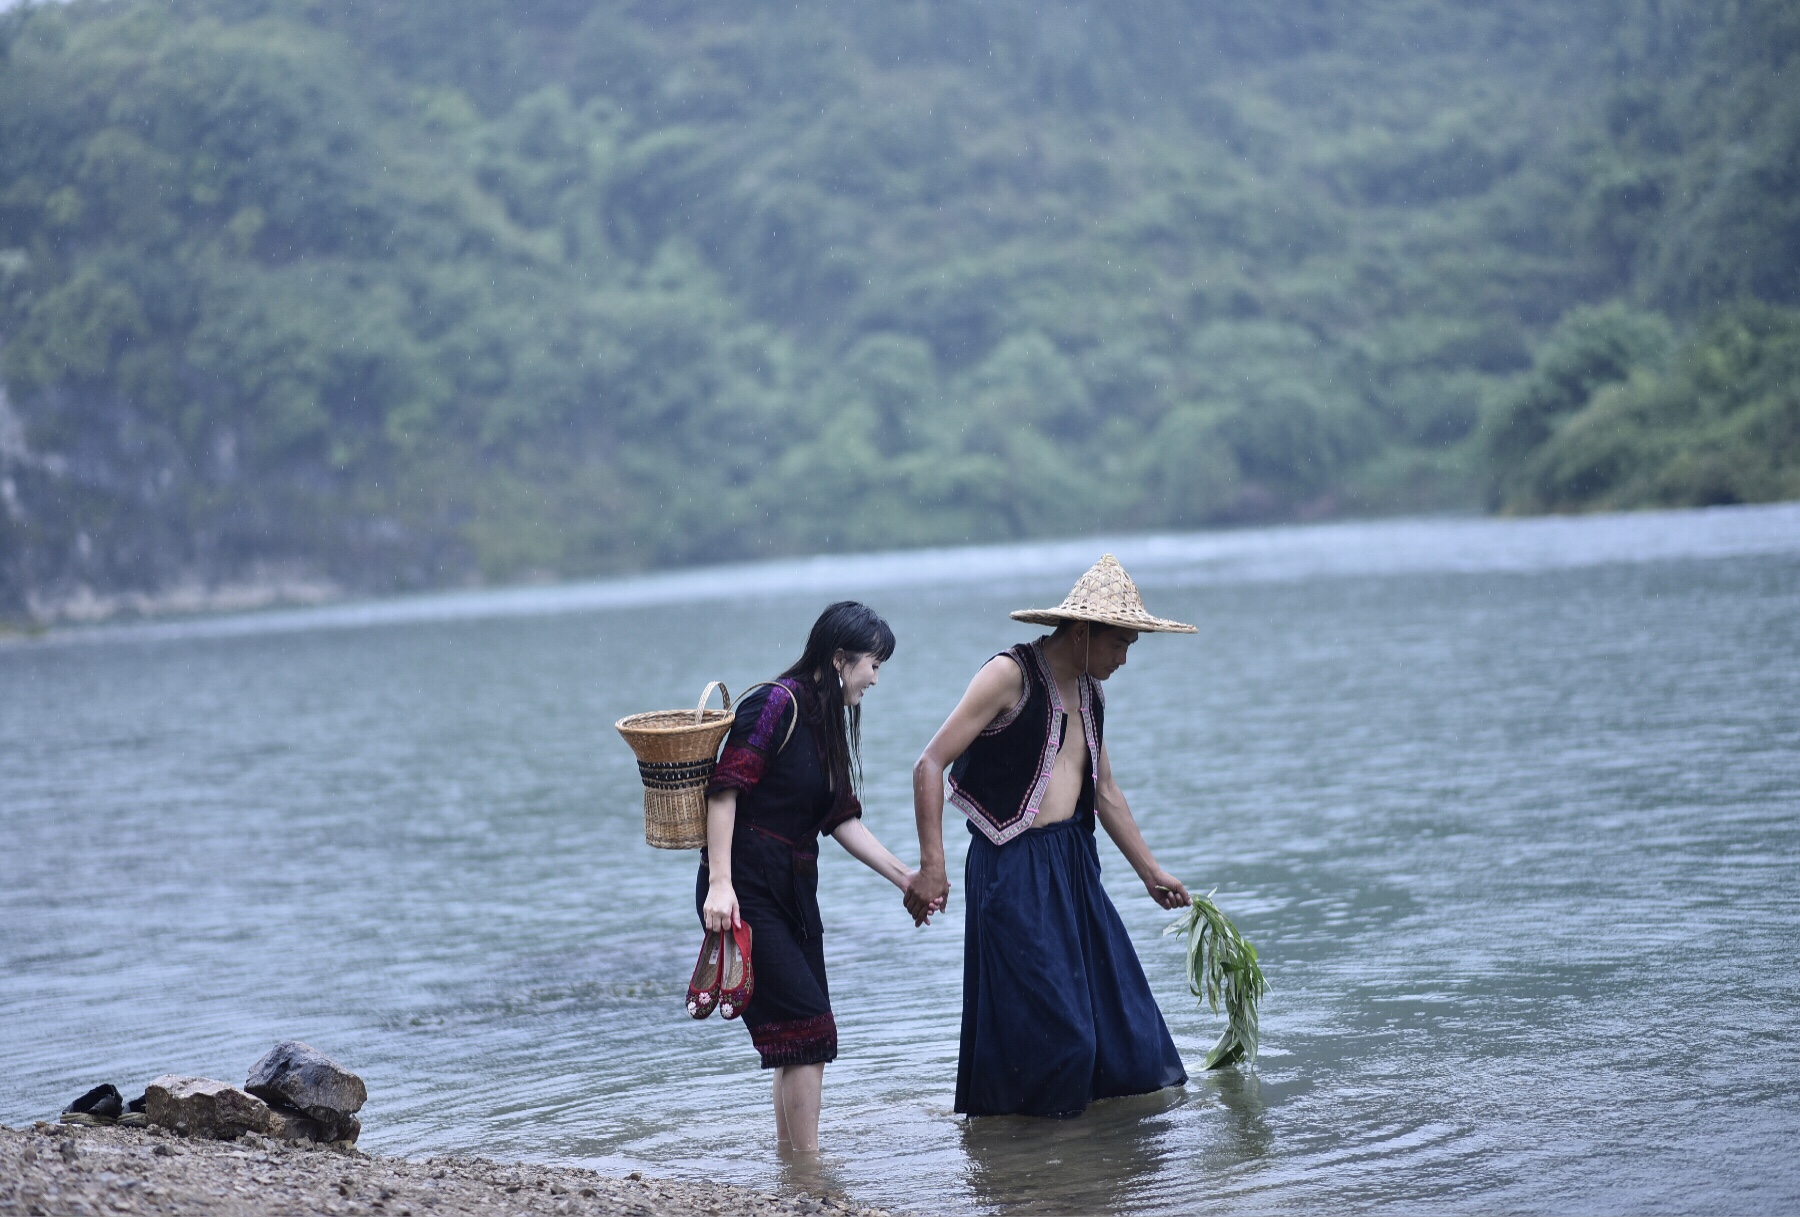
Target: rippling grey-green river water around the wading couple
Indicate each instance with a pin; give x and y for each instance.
(1511, 809)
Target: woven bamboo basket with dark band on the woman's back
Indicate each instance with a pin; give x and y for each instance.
(676, 753)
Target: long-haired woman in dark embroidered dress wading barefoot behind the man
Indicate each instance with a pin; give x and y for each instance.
(784, 779)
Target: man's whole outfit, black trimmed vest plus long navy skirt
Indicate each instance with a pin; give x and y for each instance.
(1056, 1005)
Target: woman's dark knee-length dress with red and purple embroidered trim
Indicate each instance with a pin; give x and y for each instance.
(786, 800)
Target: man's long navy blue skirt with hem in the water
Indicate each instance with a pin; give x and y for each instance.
(1056, 1005)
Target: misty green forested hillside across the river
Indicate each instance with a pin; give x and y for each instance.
(411, 294)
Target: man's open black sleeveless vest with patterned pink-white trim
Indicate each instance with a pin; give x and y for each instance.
(1002, 779)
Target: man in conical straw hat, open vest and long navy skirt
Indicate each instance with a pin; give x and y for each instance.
(1056, 1005)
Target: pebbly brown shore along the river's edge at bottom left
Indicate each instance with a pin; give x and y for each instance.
(55, 1169)
